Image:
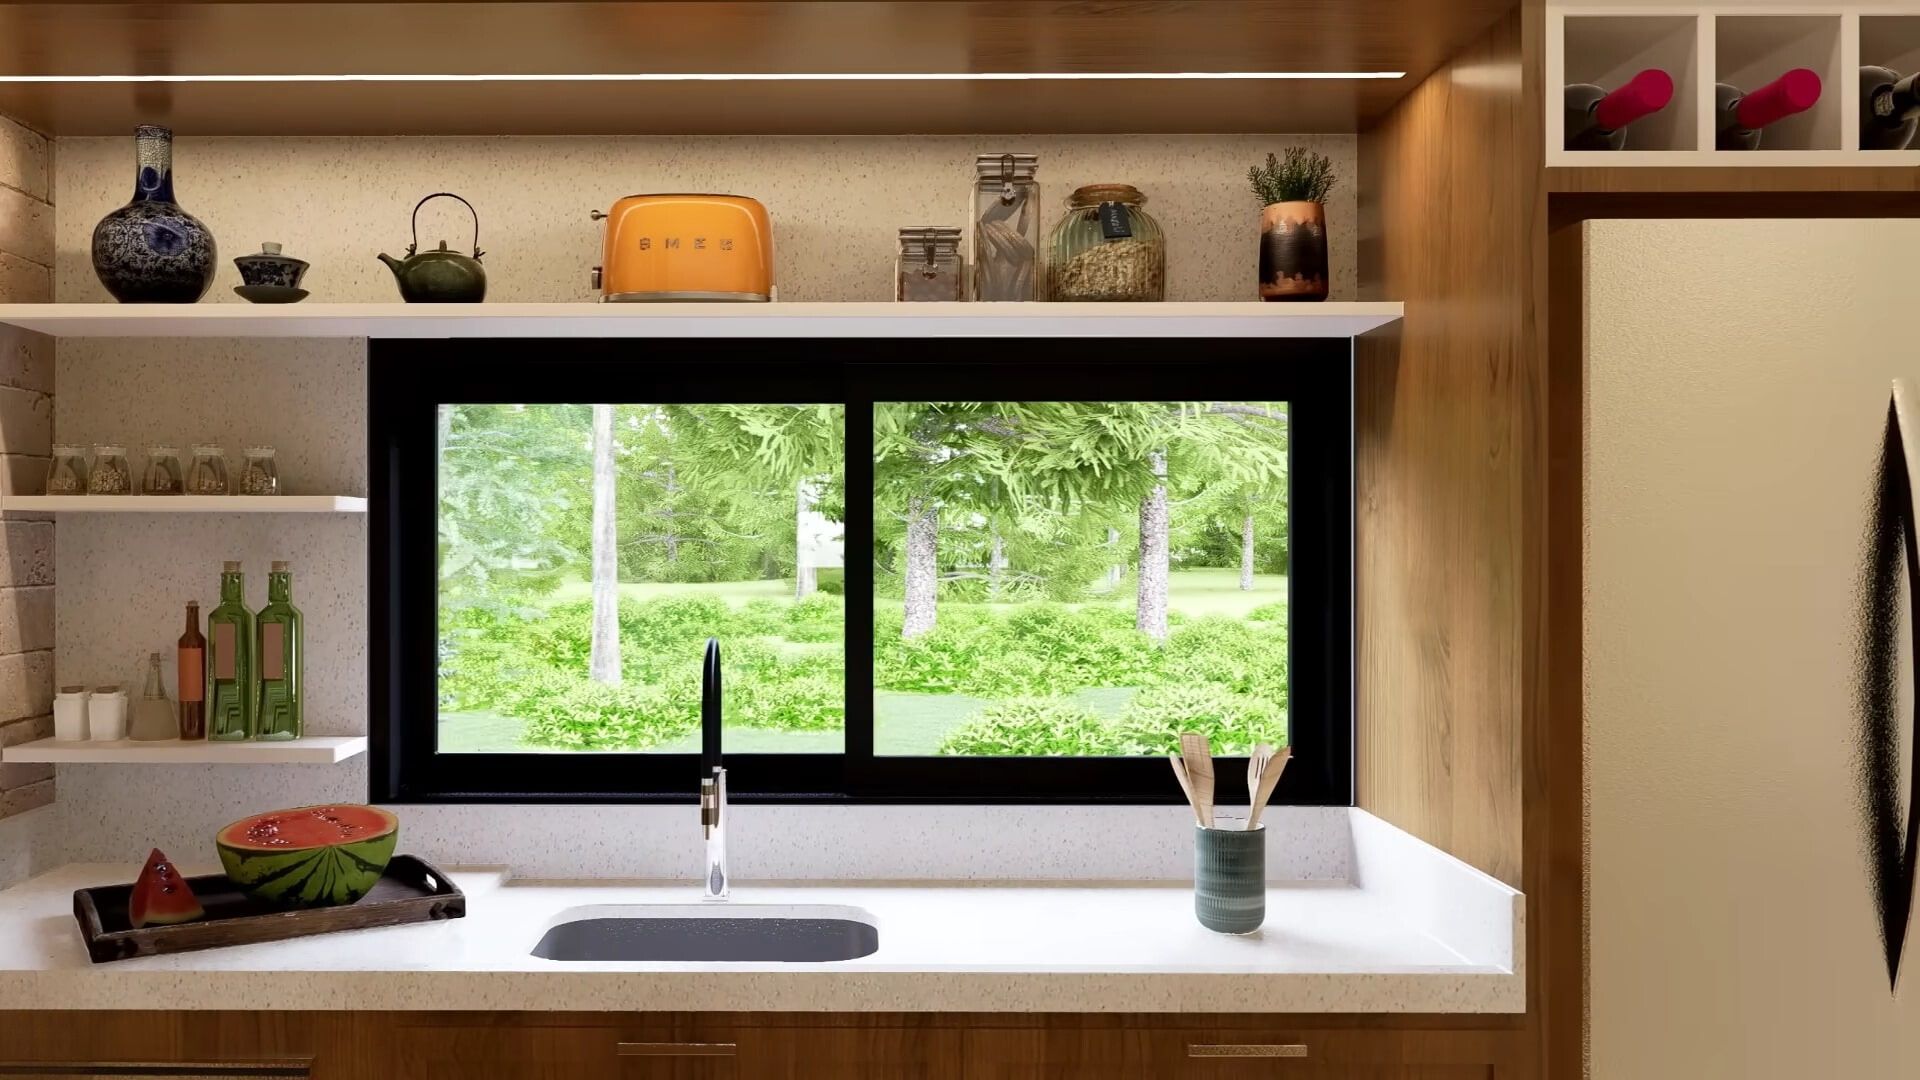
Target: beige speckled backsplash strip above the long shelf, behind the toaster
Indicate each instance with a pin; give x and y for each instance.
(836, 203)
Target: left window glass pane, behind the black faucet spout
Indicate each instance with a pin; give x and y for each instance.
(588, 552)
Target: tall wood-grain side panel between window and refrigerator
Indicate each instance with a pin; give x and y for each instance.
(1449, 454)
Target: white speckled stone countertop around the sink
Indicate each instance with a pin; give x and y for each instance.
(1412, 933)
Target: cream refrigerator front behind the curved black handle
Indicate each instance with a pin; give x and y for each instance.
(1739, 383)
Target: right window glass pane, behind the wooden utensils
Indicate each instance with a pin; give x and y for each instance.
(1080, 577)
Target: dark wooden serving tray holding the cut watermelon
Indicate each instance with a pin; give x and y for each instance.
(412, 891)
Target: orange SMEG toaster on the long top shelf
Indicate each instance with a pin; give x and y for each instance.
(686, 247)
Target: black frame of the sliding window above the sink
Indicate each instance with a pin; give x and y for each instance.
(410, 380)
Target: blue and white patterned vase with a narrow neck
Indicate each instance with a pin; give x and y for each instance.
(151, 251)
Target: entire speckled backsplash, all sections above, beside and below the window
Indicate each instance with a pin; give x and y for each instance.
(337, 203)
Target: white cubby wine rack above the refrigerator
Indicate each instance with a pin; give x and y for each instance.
(1742, 45)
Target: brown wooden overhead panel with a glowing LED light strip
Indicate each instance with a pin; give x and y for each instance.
(723, 37)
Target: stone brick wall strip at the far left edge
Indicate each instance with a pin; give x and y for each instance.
(26, 439)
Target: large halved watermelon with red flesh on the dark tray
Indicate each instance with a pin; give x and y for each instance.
(310, 856)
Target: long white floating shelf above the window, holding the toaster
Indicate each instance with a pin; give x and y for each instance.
(1247, 320)
